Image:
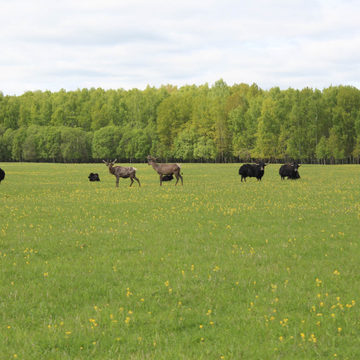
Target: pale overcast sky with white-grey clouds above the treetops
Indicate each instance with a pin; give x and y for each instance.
(71, 44)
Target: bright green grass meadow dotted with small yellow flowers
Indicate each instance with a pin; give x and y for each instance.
(216, 269)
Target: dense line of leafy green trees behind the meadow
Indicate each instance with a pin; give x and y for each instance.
(190, 123)
